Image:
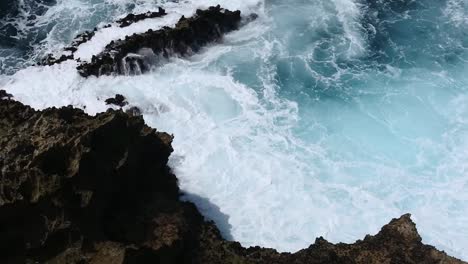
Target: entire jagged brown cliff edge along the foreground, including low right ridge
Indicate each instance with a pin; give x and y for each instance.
(81, 189)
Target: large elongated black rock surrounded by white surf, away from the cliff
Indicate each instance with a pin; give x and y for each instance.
(136, 53)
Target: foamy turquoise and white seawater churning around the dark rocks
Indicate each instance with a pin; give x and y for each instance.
(320, 118)
